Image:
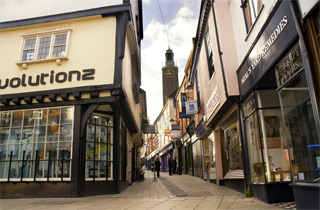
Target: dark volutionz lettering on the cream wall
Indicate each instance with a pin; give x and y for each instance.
(44, 78)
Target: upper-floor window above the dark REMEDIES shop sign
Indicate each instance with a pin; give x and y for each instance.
(251, 9)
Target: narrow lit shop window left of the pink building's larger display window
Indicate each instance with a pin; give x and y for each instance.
(209, 156)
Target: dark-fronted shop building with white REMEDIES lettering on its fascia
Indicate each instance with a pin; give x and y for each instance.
(279, 108)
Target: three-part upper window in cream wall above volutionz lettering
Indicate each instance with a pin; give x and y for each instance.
(44, 46)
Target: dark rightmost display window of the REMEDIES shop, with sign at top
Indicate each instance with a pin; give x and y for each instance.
(300, 125)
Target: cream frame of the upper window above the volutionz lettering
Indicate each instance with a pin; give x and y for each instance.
(37, 36)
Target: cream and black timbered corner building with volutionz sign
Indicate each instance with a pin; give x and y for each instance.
(70, 119)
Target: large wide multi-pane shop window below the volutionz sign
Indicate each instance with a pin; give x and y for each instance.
(36, 144)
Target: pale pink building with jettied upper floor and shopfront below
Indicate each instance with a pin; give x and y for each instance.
(213, 78)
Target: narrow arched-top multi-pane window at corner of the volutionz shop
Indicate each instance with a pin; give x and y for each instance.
(99, 147)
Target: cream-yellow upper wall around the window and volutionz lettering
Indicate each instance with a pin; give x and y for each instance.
(91, 45)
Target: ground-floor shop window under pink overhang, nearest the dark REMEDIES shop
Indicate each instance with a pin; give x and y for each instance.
(233, 151)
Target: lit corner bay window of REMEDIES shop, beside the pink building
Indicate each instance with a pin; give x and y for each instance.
(267, 145)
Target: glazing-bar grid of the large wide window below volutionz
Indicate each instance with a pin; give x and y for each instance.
(36, 143)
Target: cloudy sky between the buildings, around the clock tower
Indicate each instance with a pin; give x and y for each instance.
(181, 18)
